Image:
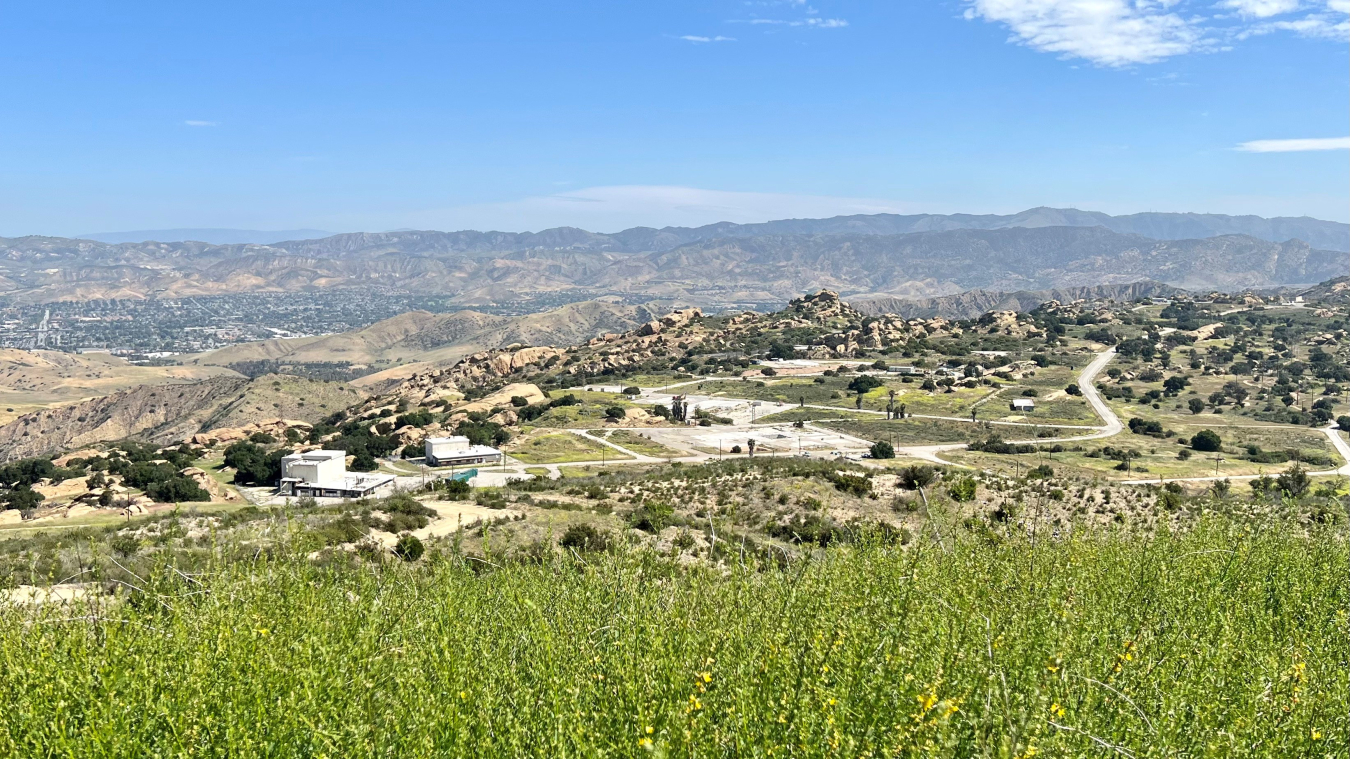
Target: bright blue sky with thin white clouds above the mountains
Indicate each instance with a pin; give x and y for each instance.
(610, 114)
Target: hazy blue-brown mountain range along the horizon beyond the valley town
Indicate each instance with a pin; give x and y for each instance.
(912, 257)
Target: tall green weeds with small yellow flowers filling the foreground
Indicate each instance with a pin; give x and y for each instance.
(1225, 641)
